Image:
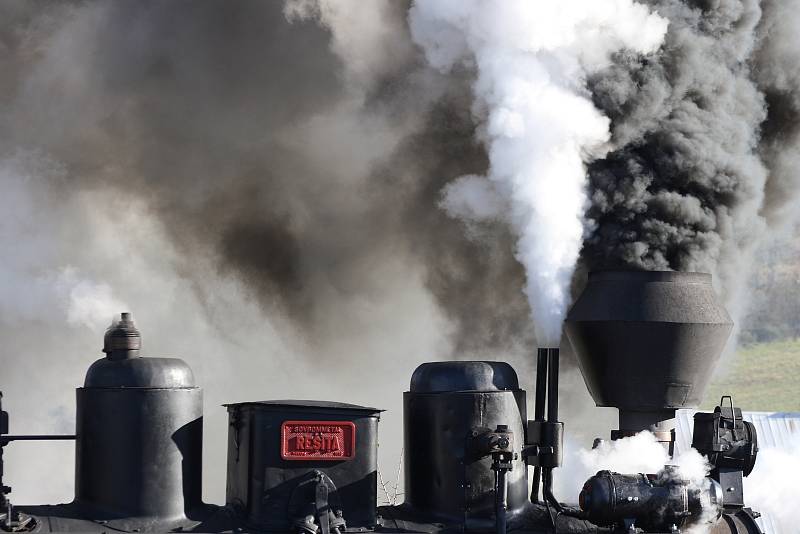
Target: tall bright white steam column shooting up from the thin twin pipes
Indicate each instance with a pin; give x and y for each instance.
(539, 126)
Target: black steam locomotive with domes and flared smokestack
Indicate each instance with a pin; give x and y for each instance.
(647, 344)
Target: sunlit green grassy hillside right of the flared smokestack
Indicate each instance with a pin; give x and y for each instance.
(761, 377)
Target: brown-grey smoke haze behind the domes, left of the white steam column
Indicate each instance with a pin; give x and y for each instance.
(262, 193)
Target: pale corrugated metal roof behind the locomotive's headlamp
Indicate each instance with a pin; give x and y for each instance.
(774, 429)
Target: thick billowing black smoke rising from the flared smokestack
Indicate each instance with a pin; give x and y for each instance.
(703, 131)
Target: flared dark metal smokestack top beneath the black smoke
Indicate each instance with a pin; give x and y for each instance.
(647, 340)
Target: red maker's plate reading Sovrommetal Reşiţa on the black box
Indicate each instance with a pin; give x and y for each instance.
(318, 440)
